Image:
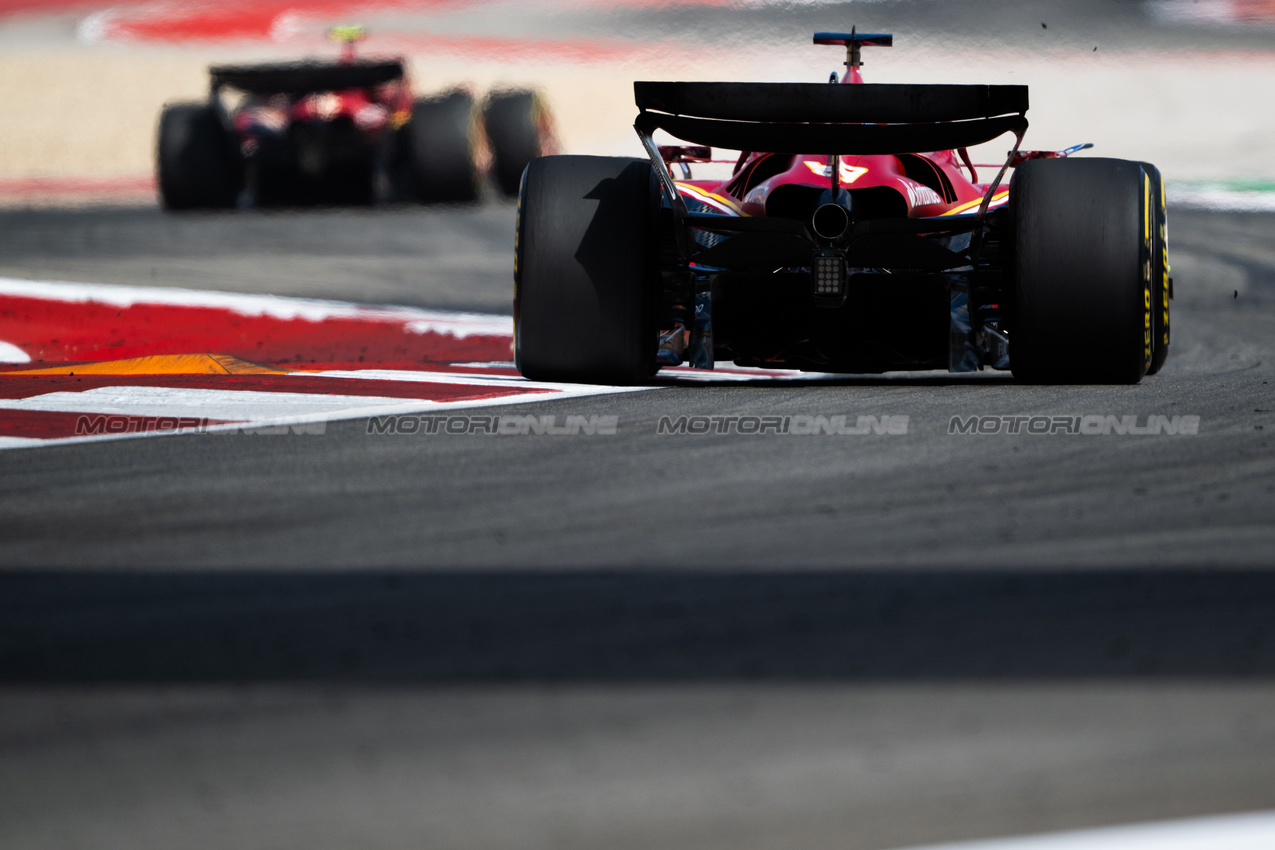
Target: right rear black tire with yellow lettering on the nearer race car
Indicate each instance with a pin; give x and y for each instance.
(1082, 275)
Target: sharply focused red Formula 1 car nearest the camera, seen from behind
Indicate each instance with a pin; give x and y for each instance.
(855, 235)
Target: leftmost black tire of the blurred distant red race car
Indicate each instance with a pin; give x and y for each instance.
(196, 159)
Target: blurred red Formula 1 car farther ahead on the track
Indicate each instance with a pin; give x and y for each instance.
(345, 132)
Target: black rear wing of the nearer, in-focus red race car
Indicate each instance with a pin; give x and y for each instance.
(818, 118)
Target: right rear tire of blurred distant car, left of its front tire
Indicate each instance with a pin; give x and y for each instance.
(446, 140)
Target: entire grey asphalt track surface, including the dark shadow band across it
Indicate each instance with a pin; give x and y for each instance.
(637, 640)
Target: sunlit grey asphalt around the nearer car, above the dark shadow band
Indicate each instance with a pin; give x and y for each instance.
(641, 499)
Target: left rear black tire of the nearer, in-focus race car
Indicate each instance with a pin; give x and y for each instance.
(586, 271)
